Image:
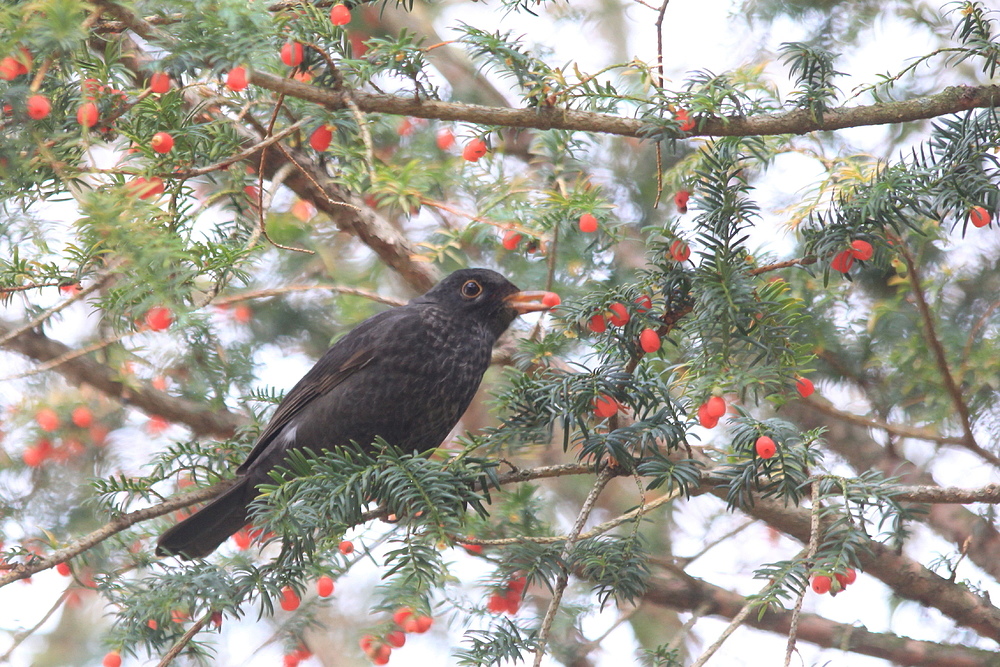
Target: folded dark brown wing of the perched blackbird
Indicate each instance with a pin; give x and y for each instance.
(348, 355)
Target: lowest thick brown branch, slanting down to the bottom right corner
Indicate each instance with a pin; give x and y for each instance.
(688, 593)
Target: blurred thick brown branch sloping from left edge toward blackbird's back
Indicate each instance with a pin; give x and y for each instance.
(217, 422)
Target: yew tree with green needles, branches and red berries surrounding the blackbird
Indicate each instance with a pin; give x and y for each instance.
(265, 244)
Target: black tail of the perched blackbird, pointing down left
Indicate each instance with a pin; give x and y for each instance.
(201, 533)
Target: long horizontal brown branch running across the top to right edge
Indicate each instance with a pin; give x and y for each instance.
(950, 100)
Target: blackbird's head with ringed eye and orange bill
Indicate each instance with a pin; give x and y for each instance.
(484, 295)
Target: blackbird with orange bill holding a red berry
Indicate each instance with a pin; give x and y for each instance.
(406, 374)
